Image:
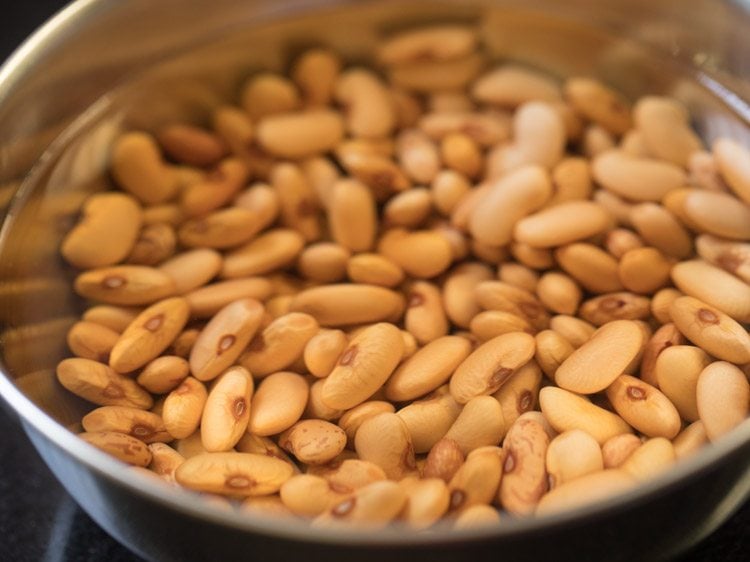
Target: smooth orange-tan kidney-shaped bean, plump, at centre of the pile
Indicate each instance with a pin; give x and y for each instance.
(422, 253)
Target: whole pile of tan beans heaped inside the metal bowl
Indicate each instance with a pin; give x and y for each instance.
(435, 291)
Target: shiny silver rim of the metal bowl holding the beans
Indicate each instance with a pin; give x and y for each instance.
(190, 504)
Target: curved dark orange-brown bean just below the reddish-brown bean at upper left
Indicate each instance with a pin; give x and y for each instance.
(217, 189)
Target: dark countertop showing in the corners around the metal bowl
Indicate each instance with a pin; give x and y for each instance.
(40, 522)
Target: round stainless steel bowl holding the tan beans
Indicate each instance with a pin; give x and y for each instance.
(99, 66)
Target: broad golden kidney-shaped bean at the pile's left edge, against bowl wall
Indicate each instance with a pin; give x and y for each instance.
(106, 233)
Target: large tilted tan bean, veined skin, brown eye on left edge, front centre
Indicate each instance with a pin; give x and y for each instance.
(364, 366)
